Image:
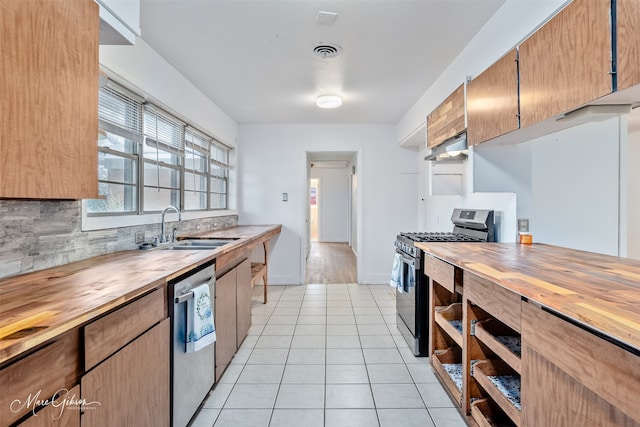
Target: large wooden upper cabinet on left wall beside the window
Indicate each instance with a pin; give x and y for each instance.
(48, 99)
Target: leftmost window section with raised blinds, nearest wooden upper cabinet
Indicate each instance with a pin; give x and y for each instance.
(120, 121)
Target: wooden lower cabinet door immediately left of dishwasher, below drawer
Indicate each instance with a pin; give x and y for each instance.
(131, 388)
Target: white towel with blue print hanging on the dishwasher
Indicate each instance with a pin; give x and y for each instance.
(200, 328)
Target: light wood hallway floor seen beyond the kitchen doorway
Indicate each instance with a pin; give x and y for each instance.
(331, 263)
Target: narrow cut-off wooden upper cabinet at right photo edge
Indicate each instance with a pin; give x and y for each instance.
(628, 40)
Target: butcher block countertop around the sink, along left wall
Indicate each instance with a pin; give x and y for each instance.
(36, 307)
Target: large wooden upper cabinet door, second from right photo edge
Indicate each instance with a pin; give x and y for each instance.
(567, 62)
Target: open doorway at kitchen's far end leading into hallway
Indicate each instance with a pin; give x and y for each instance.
(331, 219)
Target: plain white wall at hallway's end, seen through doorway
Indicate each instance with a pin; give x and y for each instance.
(333, 216)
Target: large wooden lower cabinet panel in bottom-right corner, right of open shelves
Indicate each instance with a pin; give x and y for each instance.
(572, 377)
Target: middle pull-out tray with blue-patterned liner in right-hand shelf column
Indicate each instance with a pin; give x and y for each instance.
(490, 373)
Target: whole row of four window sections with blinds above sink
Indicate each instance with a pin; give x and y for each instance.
(149, 159)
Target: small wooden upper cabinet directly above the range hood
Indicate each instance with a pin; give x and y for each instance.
(447, 120)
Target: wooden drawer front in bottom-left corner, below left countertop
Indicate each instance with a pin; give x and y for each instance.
(37, 376)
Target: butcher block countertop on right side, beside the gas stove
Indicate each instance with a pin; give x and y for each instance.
(601, 292)
